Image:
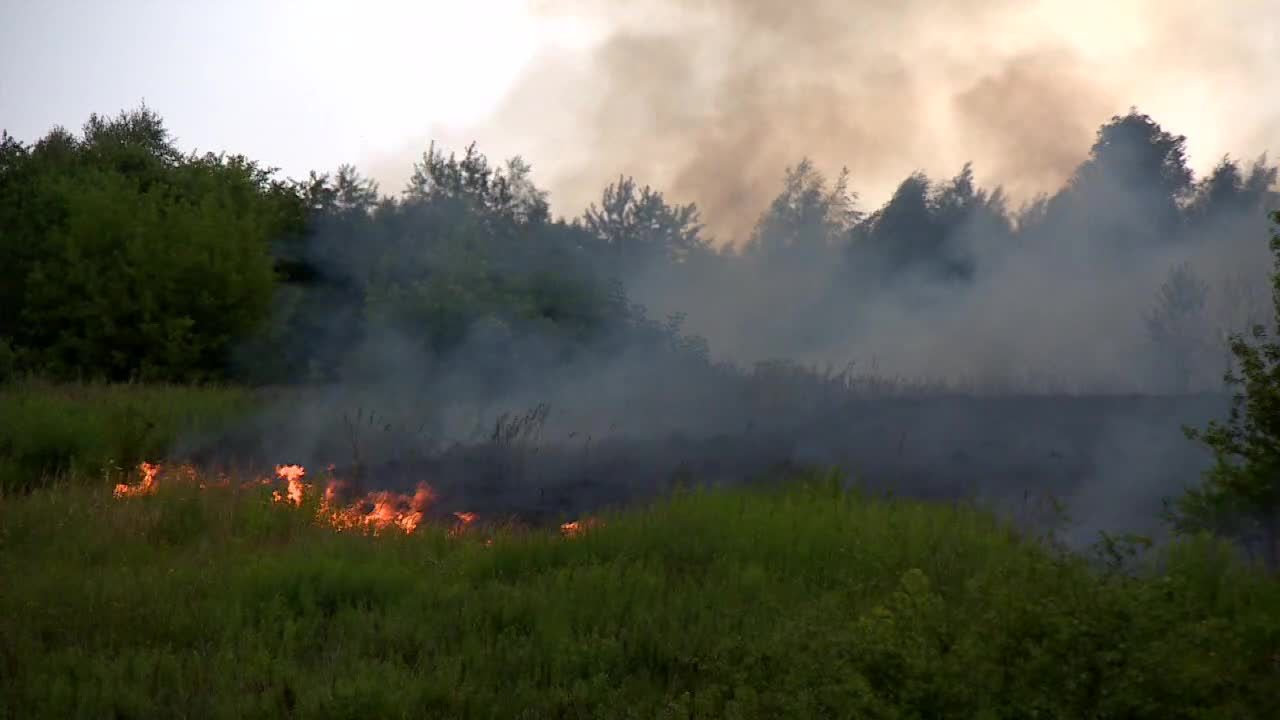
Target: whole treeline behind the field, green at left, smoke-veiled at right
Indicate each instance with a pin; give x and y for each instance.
(127, 259)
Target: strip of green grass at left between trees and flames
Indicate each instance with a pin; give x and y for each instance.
(97, 432)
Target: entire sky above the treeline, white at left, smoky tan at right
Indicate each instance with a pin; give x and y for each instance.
(708, 99)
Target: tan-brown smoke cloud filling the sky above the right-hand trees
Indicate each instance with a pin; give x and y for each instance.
(711, 101)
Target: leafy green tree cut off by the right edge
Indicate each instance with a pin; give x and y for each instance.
(1241, 493)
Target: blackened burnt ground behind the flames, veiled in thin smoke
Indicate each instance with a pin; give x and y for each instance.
(1112, 459)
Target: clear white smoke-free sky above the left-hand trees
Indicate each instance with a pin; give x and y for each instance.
(296, 84)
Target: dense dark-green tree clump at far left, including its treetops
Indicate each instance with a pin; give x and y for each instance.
(126, 259)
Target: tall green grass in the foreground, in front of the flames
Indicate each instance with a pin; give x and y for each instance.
(798, 603)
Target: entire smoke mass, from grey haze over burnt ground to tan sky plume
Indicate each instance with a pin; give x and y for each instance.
(995, 352)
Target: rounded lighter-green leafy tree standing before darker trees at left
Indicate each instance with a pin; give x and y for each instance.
(147, 285)
